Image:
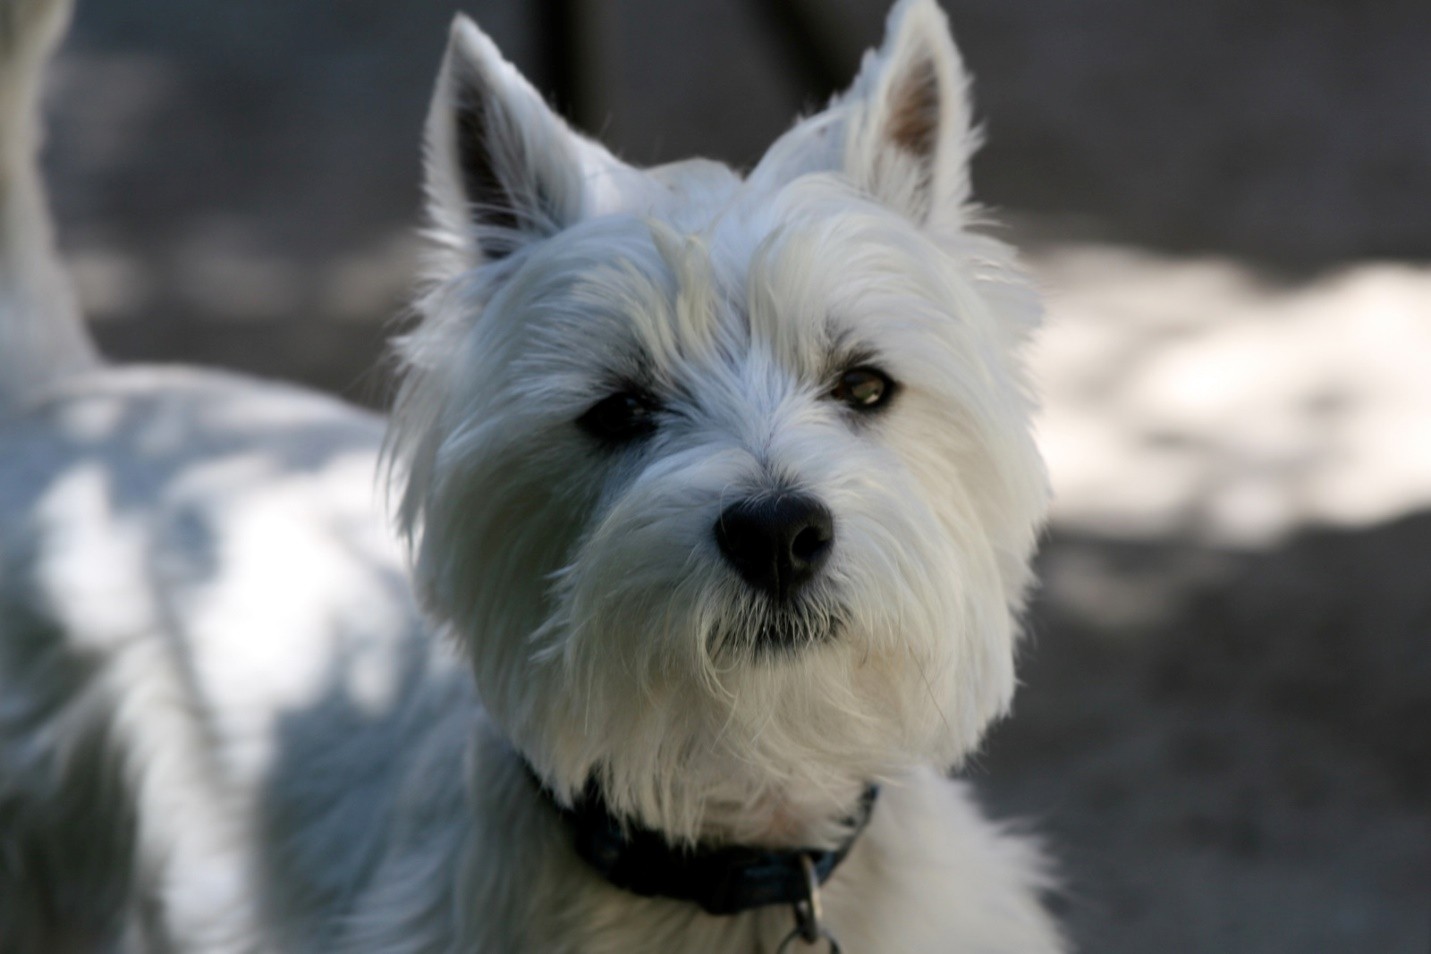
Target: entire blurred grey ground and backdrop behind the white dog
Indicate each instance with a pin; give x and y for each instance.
(1226, 726)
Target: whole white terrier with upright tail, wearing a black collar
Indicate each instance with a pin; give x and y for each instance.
(721, 487)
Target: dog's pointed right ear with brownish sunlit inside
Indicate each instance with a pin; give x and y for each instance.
(902, 131)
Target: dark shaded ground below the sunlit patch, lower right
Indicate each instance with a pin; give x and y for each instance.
(1229, 750)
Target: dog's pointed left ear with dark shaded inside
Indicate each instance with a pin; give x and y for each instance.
(503, 169)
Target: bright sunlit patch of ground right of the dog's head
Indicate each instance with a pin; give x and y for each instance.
(1198, 397)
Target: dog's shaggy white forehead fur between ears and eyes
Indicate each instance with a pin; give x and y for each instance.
(696, 265)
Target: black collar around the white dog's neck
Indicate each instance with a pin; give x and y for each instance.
(721, 879)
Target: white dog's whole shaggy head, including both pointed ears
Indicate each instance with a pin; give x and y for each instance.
(726, 484)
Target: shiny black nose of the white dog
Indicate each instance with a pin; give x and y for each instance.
(778, 544)
